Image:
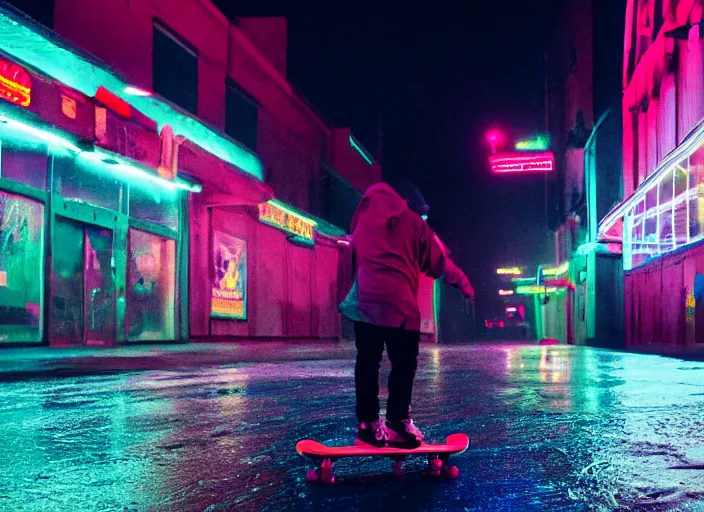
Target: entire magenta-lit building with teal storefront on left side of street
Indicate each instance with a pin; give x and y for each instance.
(168, 184)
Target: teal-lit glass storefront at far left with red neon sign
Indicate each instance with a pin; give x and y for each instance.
(92, 235)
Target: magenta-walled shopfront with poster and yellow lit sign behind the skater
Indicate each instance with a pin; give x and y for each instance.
(269, 271)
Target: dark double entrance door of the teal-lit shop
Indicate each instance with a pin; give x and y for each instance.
(82, 285)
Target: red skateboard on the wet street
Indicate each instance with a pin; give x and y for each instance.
(438, 455)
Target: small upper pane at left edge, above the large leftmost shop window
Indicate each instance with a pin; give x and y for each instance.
(24, 162)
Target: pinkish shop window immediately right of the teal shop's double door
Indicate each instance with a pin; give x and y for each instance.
(151, 287)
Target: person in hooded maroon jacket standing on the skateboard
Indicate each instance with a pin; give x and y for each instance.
(392, 246)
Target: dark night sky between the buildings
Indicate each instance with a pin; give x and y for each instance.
(438, 77)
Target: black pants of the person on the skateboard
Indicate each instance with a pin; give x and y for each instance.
(402, 348)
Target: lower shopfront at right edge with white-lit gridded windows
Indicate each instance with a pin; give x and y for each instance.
(662, 228)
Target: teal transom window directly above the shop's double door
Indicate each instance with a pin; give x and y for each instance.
(86, 181)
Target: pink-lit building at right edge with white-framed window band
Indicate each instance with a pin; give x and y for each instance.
(659, 222)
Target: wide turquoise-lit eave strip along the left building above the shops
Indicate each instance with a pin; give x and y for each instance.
(45, 51)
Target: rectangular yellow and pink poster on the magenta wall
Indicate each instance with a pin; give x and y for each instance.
(229, 287)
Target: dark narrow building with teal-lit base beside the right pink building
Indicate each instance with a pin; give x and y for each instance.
(585, 121)
